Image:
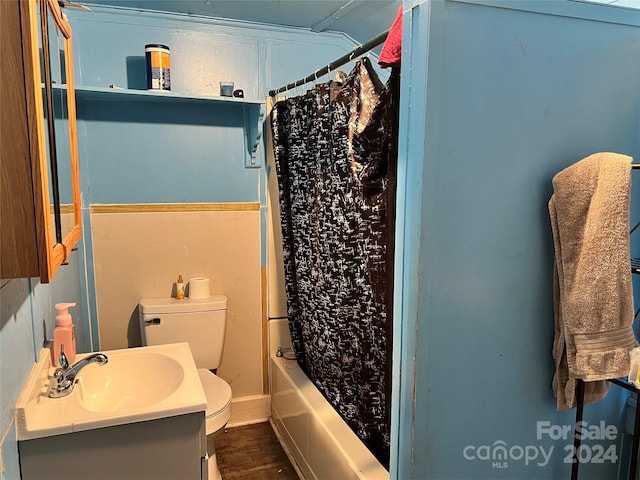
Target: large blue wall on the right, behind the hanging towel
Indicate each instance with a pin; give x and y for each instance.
(496, 100)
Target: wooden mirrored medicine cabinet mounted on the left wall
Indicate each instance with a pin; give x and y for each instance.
(40, 214)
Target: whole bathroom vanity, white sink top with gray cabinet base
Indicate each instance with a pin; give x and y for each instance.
(139, 416)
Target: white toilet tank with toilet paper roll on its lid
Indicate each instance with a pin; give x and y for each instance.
(200, 323)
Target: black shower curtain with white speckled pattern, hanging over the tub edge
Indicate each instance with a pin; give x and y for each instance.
(336, 175)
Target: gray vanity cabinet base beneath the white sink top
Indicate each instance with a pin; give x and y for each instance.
(167, 448)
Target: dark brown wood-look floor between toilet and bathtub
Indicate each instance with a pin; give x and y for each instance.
(252, 452)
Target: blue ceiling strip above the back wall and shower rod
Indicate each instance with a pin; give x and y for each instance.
(360, 19)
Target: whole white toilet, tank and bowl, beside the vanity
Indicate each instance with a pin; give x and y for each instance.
(202, 324)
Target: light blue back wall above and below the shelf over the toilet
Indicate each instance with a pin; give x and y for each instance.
(135, 151)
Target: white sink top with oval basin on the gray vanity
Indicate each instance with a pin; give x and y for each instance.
(137, 384)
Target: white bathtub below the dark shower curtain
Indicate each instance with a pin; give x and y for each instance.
(313, 435)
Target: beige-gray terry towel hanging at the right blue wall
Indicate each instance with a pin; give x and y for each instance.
(593, 295)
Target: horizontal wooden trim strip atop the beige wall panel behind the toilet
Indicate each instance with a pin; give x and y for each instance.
(173, 207)
